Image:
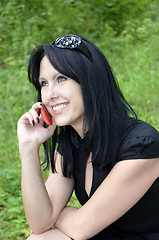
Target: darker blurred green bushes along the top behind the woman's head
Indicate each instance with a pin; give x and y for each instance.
(24, 24)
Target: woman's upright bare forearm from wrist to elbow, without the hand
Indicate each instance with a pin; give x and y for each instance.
(37, 204)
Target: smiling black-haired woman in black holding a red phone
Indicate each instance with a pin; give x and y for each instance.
(99, 148)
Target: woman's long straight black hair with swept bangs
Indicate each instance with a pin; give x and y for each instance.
(106, 112)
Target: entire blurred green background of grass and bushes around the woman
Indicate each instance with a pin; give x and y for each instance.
(126, 31)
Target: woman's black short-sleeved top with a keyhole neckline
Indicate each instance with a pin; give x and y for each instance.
(142, 220)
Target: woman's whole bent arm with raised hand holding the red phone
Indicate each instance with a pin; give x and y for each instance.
(42, 204)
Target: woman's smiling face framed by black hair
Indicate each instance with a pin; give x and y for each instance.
(62, 96)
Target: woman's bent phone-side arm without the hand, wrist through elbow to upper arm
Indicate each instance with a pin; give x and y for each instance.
(43, 203)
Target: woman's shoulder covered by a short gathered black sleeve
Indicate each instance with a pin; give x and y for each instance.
(142, 141)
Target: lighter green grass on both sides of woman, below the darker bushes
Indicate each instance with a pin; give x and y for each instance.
(136, 68)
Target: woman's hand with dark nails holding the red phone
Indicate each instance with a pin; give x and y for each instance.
(31, 130)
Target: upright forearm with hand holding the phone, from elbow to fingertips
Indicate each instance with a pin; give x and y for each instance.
(37, 203)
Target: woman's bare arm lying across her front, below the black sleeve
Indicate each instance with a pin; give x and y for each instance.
(124, 186)
